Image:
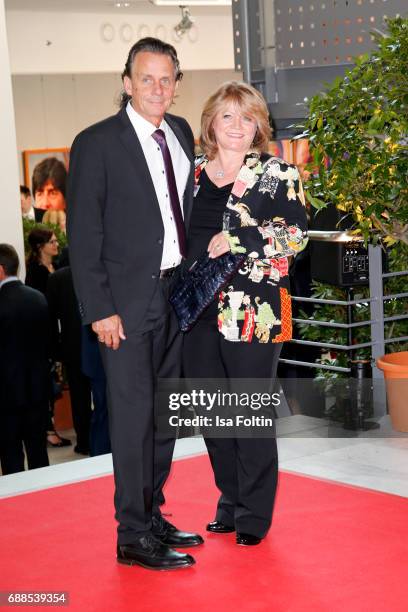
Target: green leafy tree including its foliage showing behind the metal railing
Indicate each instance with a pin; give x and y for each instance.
(360, 122)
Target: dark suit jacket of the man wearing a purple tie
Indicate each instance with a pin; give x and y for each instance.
(115, 227)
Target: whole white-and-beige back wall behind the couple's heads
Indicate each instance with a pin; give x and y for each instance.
(75, 81)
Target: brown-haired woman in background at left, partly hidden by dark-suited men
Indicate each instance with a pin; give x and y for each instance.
(40, 264)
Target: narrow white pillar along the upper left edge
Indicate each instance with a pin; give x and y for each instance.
(10, 212)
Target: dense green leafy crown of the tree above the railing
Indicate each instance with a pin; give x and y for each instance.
(361, 123)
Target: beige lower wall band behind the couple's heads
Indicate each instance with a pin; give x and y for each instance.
(51, 109)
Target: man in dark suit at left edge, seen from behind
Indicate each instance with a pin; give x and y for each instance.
(24, 369)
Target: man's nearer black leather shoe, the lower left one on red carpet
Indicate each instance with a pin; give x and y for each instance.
(150, 553)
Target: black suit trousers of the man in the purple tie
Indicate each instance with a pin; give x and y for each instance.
(141, 459)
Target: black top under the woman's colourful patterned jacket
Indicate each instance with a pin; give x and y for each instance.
(206, 221)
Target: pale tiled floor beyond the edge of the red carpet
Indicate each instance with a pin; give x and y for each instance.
(379, 463)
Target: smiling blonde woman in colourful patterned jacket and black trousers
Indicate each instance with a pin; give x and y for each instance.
(247, 202)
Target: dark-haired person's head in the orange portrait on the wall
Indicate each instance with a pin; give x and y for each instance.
(49, 183)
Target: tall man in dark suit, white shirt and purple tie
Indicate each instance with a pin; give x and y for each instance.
(130, 192)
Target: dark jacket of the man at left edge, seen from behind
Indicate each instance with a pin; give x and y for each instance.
(24, 346)
